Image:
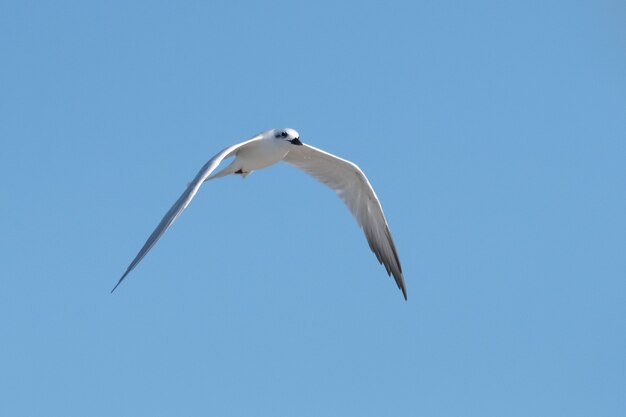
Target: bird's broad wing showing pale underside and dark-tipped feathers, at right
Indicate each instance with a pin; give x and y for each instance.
(352, 186)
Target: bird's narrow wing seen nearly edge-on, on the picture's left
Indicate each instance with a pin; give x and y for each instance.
(182, 202)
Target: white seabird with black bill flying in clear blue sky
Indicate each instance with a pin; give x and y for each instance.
(272, 146)
